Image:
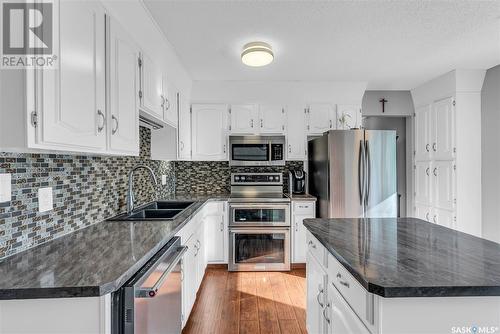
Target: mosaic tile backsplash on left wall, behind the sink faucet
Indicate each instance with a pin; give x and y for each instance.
(86, 190)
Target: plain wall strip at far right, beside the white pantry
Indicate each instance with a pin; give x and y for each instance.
(490, 122)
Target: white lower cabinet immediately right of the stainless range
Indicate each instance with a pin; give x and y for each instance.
(300, 211)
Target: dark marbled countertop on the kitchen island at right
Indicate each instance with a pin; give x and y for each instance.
(409, 257)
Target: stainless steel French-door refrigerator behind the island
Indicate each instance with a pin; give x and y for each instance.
(353, 173)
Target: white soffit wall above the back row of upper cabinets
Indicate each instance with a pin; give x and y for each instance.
(281, 92)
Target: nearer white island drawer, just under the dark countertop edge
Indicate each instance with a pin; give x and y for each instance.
(360, 300)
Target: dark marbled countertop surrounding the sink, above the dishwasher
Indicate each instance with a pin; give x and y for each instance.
(93, 261)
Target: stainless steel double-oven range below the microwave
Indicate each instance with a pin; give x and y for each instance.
(259, 223)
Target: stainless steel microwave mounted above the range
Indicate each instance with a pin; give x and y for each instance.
(257, 150)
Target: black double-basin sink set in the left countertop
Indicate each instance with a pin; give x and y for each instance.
(158, 210)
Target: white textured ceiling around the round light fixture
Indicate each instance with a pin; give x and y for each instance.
(389, 44)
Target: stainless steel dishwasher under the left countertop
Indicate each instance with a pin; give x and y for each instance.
(151, 301)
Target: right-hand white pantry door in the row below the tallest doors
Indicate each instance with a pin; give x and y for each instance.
(443, 173)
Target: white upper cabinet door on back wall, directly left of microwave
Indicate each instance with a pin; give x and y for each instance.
(209, 140)
